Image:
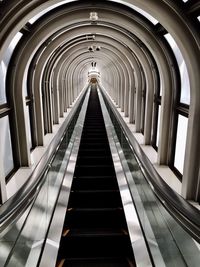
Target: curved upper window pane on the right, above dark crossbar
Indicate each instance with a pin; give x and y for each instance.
(185, 84)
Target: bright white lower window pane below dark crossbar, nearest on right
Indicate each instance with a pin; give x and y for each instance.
(180, 143)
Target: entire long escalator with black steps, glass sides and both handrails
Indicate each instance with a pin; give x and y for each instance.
(94, 200)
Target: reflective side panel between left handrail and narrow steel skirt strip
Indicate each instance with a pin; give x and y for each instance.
(23, 243)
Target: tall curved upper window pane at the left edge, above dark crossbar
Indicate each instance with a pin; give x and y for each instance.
(4, 65)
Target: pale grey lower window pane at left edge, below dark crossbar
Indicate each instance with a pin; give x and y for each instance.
(6, 148)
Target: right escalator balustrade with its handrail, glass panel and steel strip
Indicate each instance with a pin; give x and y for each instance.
(169, 236)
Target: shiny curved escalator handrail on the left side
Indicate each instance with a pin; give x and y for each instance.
(15, 205)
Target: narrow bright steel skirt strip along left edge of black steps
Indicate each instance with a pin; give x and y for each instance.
(50, 251)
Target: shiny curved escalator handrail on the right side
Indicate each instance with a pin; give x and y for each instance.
(185, 213)
